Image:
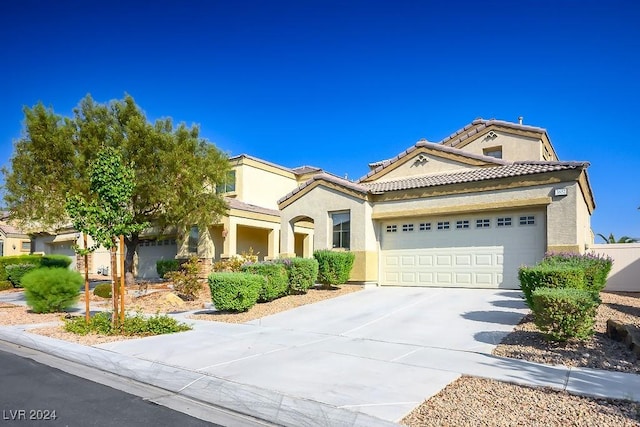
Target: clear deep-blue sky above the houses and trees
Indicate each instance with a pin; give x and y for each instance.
(339, 84)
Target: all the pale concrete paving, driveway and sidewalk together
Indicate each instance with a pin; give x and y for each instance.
(366, 358)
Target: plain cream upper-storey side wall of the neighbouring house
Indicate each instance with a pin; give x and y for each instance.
(260, 187)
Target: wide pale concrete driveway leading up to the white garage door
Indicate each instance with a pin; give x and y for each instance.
(380, 351)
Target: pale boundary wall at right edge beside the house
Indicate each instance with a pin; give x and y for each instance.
(625, 273)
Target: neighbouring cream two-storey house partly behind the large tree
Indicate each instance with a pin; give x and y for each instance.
(252, 223)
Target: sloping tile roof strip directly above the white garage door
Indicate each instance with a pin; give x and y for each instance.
(481, 174)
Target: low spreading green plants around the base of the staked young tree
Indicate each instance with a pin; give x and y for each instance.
(136, 325)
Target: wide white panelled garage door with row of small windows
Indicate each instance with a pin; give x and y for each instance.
(479, 251)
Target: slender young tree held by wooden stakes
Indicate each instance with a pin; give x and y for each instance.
(106, 215)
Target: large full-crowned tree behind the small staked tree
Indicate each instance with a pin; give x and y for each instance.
(174, 169)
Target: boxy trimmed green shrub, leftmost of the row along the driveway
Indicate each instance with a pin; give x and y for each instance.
(235, 291)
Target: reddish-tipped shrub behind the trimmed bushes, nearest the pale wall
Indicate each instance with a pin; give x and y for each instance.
(596, 268)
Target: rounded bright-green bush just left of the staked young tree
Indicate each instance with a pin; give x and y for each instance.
(51, 289)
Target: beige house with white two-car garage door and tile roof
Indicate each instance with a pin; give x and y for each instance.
(466, 211)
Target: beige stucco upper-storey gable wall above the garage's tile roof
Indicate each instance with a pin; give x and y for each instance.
(514, 147)
